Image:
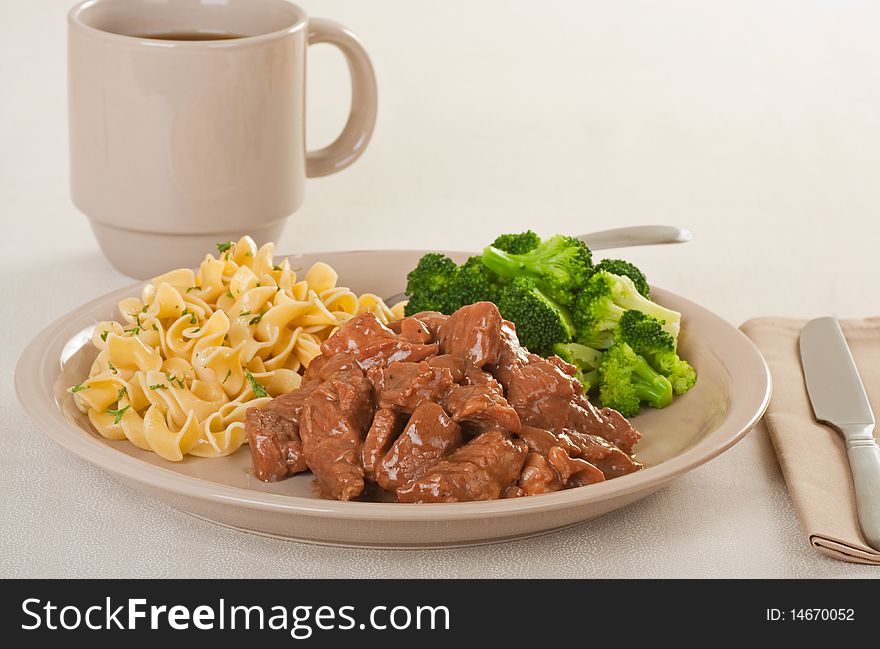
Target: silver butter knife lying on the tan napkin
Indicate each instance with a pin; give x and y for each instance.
(839, 400)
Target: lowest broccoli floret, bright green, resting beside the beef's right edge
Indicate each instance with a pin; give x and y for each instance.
(626, 380)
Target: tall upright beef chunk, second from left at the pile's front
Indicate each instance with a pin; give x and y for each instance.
(333, 423)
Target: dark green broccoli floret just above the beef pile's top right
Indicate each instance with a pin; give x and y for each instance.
(540, 322)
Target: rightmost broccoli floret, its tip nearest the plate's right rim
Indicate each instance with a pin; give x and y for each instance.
(647, 338)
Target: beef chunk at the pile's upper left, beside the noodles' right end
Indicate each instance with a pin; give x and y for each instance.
(371, 343)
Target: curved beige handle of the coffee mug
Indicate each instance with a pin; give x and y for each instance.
(351, 143)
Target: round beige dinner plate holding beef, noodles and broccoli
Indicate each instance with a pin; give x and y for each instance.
(731, 395)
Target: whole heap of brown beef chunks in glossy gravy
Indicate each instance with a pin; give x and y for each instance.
(437, 408)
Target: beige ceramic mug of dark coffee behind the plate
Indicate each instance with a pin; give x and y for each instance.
(187, 122)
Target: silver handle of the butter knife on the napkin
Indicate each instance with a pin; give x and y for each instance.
(864, 461)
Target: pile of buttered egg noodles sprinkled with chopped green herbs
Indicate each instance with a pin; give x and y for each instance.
(176, 374)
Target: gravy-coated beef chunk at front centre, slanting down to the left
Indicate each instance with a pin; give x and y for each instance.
(429, 436)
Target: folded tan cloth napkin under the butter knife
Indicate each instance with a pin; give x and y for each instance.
(812, 456)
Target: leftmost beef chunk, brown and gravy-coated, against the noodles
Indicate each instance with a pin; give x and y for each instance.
(273, 436)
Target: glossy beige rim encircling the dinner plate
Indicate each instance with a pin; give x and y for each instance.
(38, 357)
